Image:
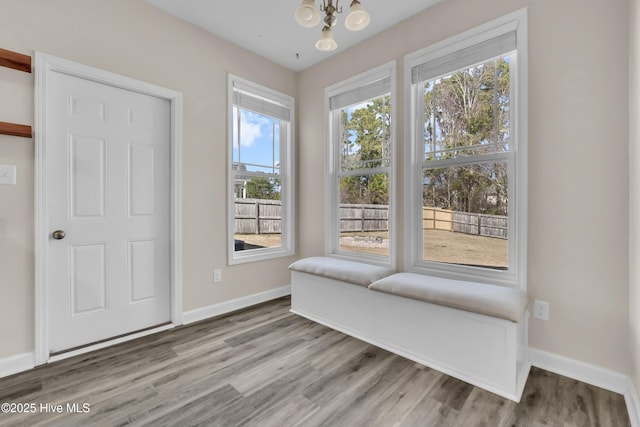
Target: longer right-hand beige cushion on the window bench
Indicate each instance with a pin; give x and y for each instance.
(491, 300)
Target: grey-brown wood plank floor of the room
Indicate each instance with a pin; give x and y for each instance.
(266, 367)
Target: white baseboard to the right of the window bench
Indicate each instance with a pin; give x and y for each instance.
(590, 374)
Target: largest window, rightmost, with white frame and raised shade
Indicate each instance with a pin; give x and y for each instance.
(467, 166)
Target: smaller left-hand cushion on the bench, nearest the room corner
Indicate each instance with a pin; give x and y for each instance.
(355, 273)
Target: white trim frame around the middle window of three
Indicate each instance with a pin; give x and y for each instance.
(332, 243)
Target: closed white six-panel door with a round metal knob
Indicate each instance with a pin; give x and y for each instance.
(108, 178)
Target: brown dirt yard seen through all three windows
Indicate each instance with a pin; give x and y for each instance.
(439, 246)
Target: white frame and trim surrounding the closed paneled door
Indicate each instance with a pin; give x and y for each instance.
(45, 64)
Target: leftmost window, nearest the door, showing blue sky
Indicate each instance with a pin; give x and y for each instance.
(260, 172)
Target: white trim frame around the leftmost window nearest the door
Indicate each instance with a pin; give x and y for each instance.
(286, 170)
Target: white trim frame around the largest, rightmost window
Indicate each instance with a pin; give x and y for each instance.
(517, 274)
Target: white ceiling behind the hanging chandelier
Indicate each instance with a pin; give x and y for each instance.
(269, 29)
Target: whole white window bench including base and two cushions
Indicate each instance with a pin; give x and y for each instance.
(474, 332)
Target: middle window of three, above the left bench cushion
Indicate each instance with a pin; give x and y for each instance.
(360, 213)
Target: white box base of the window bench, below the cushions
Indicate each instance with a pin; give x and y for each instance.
(482, 350)
